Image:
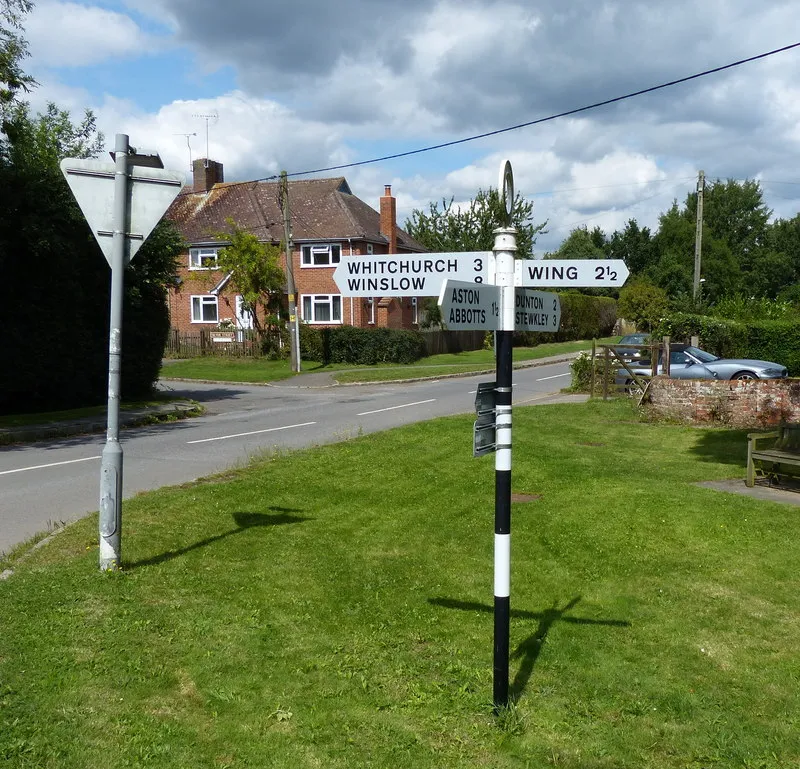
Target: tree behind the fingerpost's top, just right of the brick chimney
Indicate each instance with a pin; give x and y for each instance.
(471, 227)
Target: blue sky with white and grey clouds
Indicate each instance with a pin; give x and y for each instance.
(298, 85)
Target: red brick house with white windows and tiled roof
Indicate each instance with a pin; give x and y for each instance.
(327, 222)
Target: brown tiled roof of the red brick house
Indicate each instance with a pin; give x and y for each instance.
(321, 209)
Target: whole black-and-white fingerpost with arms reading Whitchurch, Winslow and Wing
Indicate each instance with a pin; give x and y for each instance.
(491, 291)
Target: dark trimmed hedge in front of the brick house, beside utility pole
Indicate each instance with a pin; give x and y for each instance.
(367, 346)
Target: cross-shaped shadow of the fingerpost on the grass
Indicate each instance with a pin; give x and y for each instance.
(528, 651)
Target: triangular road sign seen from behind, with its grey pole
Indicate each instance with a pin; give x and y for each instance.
(122, 210)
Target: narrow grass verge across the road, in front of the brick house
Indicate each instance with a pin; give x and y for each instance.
(259, 370)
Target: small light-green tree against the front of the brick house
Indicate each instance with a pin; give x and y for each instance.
(256, 274)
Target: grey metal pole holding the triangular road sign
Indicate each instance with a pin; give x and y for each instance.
(110, 523)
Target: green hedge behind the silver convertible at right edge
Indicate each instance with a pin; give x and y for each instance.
(773, 340)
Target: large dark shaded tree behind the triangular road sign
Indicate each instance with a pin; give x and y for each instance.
(55, 292)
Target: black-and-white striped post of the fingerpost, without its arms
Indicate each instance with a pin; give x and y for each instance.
(505, 247)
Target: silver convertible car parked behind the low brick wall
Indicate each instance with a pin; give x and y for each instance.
(687, 362)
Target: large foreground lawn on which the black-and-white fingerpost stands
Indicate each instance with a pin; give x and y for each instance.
(332, 608)
